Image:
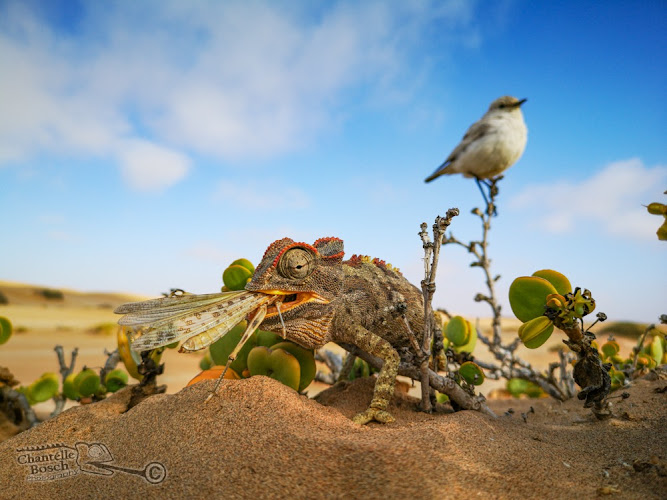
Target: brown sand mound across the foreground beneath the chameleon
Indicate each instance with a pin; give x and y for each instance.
(260, 439)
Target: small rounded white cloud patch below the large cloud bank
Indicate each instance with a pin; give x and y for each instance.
(149, 167)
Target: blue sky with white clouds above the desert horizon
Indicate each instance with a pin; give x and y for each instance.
(145, 145)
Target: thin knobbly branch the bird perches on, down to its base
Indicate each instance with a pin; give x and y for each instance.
(510, 366)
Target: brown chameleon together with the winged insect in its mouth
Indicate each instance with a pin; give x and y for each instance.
(310, 295)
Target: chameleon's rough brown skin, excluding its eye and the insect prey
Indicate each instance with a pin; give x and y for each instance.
(368, 303)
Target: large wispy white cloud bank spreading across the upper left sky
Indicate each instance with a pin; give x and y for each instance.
(226, 79)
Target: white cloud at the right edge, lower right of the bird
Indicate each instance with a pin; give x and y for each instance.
(612, 199)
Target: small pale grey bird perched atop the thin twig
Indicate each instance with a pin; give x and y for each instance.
(491, 145)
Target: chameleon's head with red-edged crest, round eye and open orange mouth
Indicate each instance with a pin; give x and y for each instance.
(307, 277)
